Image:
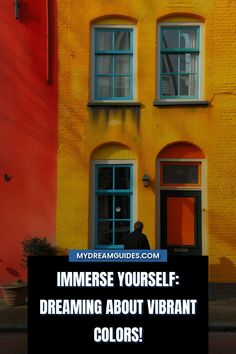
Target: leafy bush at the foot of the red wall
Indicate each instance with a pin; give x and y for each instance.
(37, 246)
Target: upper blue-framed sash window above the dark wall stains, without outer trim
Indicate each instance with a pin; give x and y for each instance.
(113, 51)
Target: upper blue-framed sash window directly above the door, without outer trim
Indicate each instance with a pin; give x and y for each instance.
(179, 62)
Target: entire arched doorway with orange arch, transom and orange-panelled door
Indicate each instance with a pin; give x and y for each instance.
(181, 202)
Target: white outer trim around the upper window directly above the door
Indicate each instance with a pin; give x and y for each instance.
(201, 93)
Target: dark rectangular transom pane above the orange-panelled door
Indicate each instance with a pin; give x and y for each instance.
(180, 174)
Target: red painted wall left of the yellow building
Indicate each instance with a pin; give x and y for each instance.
(28, 131)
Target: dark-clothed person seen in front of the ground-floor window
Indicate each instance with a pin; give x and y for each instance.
(136, 239)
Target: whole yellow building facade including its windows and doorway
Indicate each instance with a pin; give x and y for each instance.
(147, 126)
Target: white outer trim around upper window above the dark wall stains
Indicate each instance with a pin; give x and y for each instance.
(92, 78)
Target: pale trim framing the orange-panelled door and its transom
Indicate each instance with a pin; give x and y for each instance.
(203, 189)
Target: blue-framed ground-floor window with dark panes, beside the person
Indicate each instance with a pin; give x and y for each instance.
(113, 204)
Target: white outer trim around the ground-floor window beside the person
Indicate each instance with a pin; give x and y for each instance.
(92, 194)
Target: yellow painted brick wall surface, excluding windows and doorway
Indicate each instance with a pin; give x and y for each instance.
(139, 134)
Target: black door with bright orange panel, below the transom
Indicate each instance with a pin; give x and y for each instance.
(181, 221)
